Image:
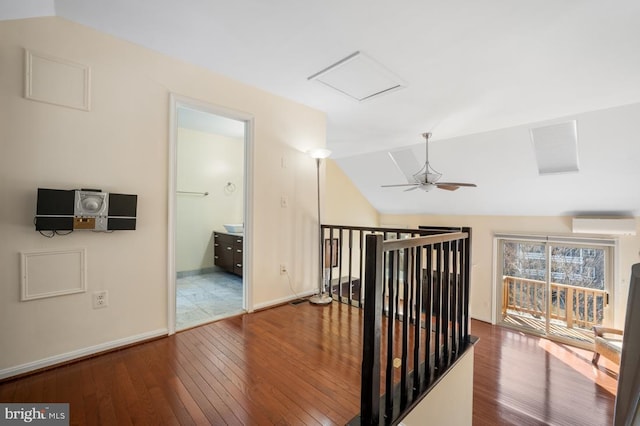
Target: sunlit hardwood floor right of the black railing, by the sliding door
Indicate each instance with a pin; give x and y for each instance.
(524, 380)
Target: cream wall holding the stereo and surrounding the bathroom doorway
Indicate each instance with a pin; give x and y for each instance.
(122, 145)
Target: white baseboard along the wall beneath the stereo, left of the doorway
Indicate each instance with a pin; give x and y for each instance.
(69, 356)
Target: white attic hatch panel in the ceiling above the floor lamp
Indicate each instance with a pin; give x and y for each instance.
(359, 77)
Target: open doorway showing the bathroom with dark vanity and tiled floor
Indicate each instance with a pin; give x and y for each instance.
(208, 201)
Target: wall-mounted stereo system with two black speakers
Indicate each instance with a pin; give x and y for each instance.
(84, 209)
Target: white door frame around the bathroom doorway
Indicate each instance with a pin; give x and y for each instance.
(176, 101)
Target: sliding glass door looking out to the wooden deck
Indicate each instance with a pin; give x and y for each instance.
(557, 289)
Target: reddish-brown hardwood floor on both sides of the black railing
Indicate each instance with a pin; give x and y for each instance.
(300, 365)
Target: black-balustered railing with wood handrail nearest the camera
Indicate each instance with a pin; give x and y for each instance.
(416, 317)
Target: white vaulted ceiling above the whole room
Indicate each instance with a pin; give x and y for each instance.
(478, 74)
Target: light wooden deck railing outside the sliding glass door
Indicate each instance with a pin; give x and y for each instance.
(577, 306)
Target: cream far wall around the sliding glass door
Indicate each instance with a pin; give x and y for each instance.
(483, 230)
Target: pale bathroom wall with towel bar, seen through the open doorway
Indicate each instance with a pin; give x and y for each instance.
(206, 163)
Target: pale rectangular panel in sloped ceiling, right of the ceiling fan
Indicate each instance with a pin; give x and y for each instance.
(556, 148)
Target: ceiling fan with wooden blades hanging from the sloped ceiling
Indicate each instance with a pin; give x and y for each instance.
(427, 177)
